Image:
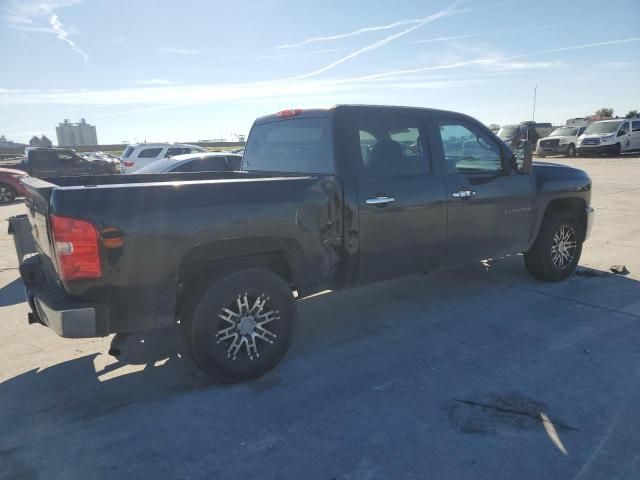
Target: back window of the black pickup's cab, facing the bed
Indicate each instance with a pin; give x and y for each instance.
(301, 145)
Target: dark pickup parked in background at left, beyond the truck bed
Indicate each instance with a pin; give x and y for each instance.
(47, 162)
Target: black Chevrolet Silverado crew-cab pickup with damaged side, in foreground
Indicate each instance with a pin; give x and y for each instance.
(326, 199)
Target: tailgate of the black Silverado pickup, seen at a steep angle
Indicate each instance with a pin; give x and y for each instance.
(37, 194)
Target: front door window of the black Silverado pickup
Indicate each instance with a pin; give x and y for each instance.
(469, 151)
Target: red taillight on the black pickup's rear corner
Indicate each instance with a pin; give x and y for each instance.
(76, 248)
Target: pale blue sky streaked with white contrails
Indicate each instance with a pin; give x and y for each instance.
(189, 70)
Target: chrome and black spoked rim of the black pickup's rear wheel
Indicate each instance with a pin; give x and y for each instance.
(246, 326)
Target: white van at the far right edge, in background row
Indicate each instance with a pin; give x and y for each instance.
(610, 136)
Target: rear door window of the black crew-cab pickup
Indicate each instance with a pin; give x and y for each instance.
(392, 146)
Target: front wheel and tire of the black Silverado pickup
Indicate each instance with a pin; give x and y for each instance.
(556, 251)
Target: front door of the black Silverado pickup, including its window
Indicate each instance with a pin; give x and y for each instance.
(490, 210)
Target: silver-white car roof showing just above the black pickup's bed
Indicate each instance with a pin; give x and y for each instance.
(195, 162)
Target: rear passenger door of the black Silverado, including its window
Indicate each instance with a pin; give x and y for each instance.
(401, 199)
